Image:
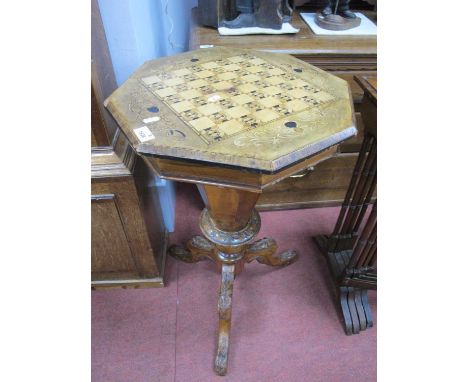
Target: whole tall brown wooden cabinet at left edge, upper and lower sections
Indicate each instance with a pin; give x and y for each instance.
(128, 237)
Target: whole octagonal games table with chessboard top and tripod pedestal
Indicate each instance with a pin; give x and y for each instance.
(234, 121)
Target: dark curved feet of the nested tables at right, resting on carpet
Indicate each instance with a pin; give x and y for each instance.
(353, 302)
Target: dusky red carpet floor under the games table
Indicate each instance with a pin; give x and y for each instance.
(285, 323)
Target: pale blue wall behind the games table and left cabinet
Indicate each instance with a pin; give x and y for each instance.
(142, 30)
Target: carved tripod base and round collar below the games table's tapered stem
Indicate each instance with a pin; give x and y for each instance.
(231, 250)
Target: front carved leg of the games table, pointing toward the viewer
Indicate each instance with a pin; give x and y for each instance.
(224, 311)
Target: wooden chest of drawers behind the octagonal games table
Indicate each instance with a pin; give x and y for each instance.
(344, 56)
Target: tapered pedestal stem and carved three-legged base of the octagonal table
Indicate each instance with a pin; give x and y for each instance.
(230, 222)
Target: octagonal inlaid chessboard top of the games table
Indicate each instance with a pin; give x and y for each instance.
(233, 107)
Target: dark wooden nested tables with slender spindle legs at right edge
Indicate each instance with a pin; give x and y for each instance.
(351, 250)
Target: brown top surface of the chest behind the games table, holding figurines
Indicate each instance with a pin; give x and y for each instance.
(305, 42)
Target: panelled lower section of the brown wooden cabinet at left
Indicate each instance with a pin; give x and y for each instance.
(128, 238)
